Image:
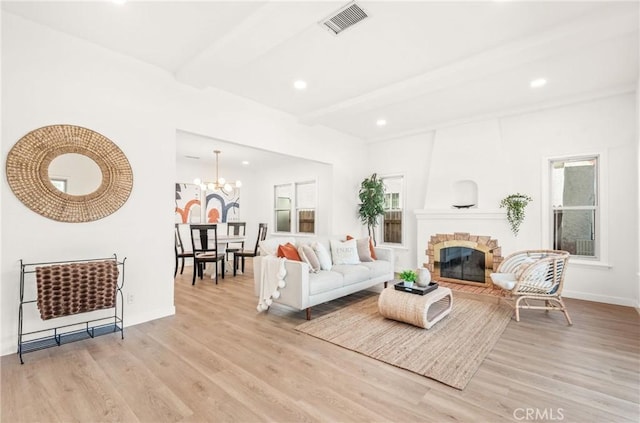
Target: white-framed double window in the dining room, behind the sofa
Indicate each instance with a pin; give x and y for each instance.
(295, 207)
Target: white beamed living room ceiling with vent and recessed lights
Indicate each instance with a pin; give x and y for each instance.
(418, 64)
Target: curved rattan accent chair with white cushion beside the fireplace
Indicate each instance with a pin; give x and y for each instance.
(534, 275)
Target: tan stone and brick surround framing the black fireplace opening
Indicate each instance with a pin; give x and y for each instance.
(485, 244)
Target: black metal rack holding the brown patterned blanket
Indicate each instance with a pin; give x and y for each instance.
(55, 336)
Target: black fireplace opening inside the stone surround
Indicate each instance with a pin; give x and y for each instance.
(462, 263)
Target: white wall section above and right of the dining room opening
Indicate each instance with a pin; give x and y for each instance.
(218, 114)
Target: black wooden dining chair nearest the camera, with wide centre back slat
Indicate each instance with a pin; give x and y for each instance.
(204, 240)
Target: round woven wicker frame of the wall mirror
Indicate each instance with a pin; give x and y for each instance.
(27, 173)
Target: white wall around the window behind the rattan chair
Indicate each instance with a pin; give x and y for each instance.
(606, 126)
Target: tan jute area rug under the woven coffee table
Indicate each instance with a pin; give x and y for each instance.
(449, 352)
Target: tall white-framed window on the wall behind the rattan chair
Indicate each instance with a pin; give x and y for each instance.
(575, 205)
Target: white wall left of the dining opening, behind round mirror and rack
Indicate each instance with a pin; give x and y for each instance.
(49, 78)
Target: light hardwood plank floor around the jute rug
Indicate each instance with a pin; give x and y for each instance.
(219, 360)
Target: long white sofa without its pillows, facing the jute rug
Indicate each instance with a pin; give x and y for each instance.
(304, 289)
